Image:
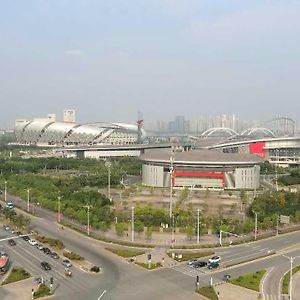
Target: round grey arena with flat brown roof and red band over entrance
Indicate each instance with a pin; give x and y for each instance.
(201, 169)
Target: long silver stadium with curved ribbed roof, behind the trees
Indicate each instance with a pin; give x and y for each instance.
(48, 132)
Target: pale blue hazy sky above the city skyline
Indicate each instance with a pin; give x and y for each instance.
(109, 59)
